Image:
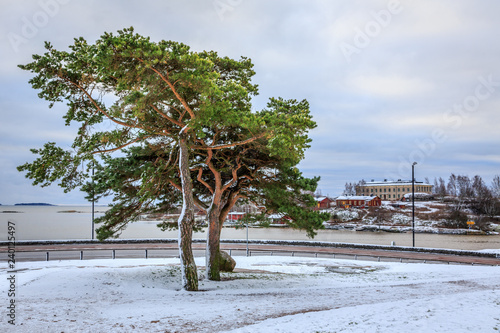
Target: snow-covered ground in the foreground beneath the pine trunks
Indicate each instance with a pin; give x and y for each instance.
(267, 294)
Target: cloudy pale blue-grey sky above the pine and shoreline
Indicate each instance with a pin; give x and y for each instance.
(389, 82)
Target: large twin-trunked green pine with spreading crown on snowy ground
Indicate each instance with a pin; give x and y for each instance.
(164, 125)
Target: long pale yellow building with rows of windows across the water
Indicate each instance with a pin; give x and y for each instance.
(392, 190)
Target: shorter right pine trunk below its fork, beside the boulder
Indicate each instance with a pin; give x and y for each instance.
(213, 243)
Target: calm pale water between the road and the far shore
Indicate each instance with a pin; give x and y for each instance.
(74, 222)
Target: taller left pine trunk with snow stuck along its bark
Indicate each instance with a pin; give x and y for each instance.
(186, 221)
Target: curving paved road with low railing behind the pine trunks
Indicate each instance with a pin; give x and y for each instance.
(157, 250)
